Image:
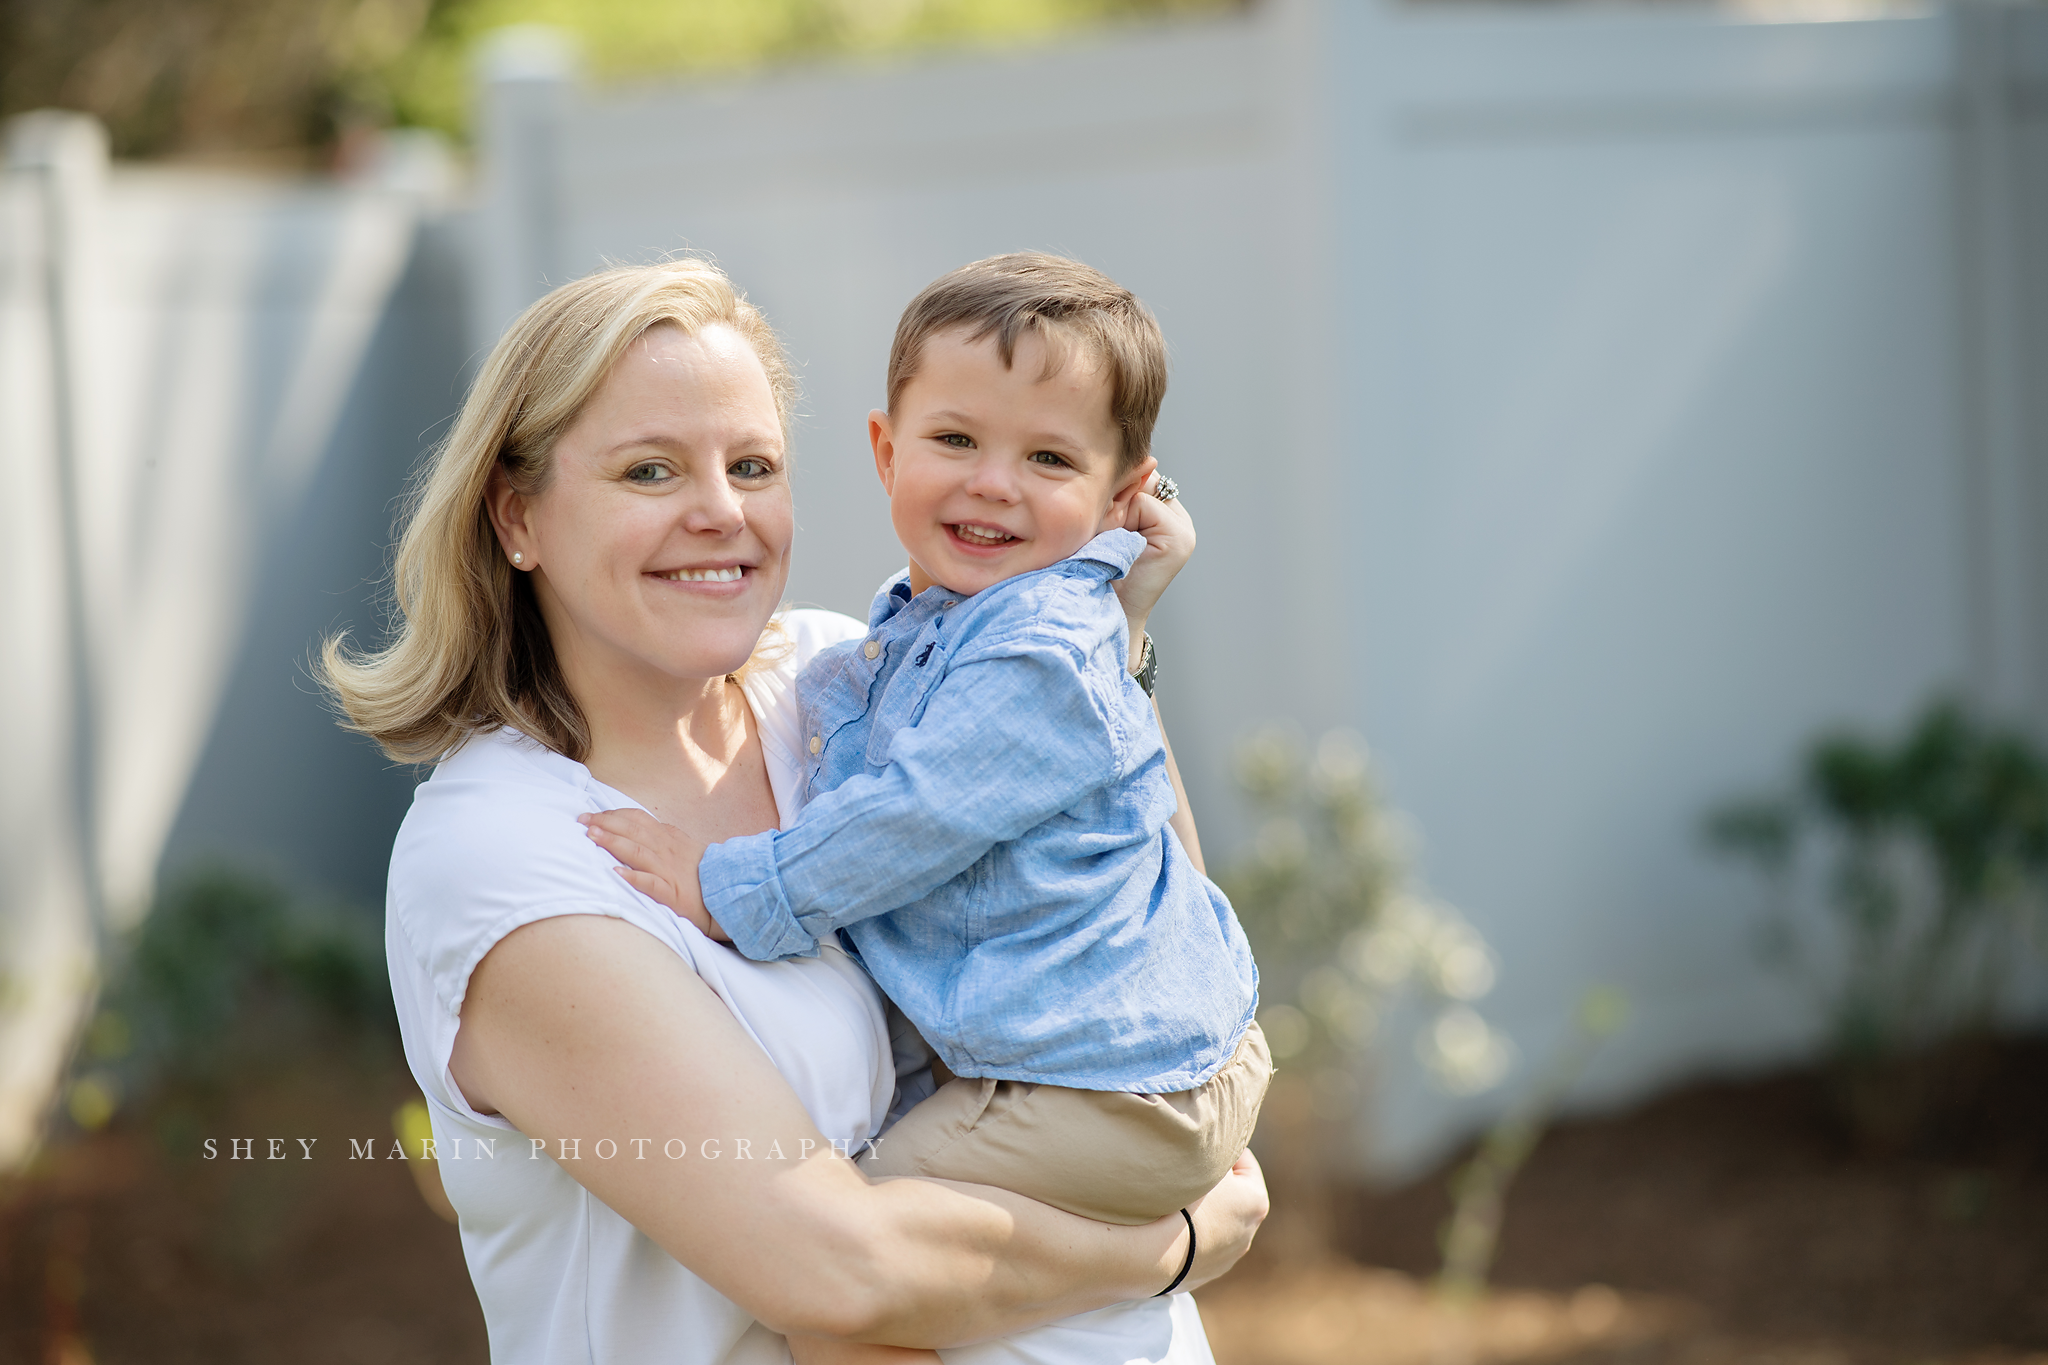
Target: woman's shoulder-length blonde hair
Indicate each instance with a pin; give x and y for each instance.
(470, 650)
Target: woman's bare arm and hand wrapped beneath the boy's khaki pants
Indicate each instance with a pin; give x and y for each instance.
(585, 1028)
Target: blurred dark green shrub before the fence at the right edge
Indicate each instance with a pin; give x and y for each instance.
(1904, 883)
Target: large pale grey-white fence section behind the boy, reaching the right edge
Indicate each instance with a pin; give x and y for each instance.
(1584, 404)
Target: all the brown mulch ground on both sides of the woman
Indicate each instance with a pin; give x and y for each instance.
(1717, 1225)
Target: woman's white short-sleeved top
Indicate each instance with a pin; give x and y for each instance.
(493, 844)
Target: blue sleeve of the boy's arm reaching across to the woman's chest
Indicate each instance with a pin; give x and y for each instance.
(1005, 744)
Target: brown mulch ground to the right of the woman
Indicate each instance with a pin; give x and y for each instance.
(1723, 1223)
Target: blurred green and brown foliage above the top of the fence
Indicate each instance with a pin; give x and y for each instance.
(292, 77)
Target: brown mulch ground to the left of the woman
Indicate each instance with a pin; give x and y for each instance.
(118, 1251)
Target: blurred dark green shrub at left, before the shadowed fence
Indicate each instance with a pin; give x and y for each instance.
(224, 981)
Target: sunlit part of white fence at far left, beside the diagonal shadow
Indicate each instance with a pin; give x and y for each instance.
(175, 349)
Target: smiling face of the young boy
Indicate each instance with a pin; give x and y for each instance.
(994, 472)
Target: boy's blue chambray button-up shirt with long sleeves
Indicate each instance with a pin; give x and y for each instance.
(988, 822)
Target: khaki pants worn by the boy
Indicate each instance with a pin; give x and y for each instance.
(1105, 1155)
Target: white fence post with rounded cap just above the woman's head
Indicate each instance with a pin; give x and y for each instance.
(525, 79)
